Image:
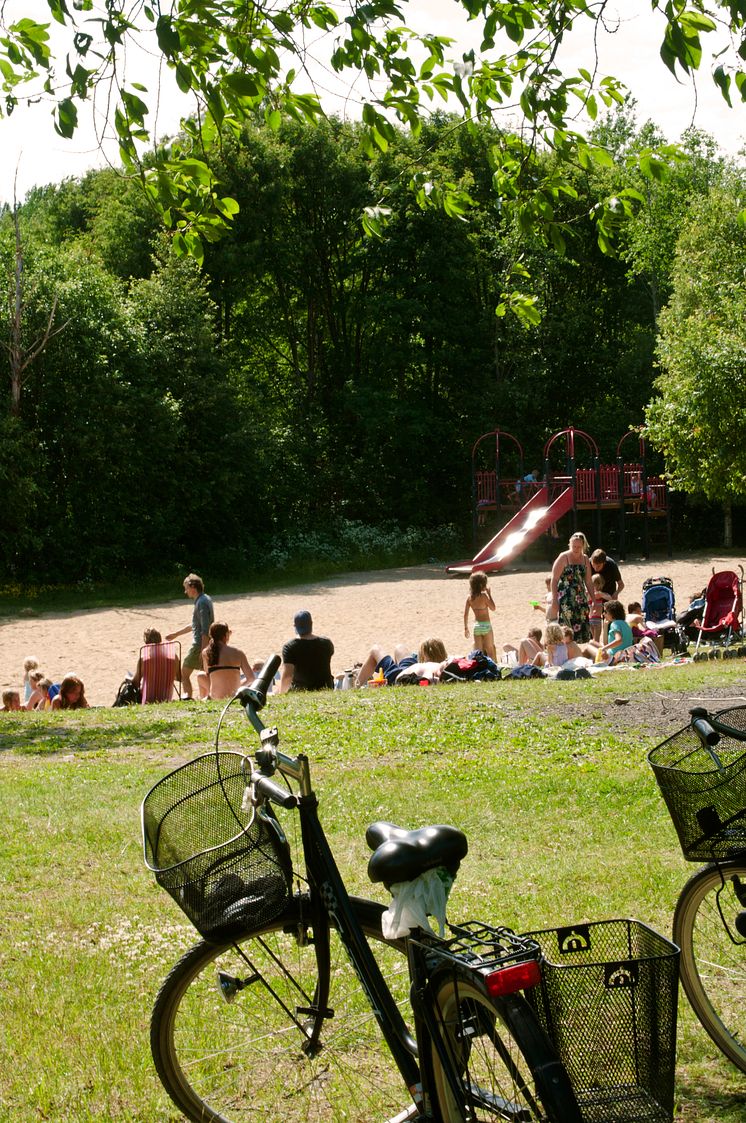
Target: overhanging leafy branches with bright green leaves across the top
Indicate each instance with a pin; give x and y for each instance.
(240, 59)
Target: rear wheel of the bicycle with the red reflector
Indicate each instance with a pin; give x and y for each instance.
(504, 1063)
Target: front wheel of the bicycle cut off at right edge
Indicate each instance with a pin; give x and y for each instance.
(713, 967)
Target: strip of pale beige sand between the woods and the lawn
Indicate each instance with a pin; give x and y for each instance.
(356, 610)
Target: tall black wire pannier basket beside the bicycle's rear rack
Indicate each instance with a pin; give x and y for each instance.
(608, 1002)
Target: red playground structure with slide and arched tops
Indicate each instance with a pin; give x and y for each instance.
(532, 507)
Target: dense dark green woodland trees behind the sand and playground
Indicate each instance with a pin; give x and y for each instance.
(310, 382)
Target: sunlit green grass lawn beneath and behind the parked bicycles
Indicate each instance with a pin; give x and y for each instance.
(550, 782)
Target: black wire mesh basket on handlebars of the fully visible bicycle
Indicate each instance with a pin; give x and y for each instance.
(228, 870)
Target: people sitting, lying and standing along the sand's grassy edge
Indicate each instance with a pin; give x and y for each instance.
(586, 622)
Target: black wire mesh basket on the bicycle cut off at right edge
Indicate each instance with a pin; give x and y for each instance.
(705, 787)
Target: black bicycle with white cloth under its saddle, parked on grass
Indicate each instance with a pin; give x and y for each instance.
(295, 1007)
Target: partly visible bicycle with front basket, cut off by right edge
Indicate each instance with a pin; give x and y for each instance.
(702, 772)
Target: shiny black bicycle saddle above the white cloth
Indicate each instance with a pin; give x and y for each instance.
(401, 855)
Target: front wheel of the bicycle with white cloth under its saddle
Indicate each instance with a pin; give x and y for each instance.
(232, 1063)
